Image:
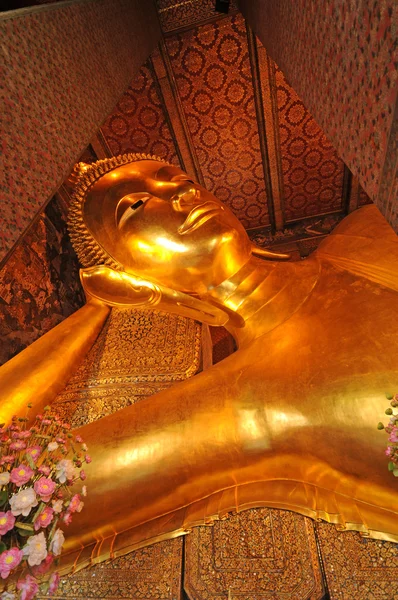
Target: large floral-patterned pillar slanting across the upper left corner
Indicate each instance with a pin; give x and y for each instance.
(65, 66)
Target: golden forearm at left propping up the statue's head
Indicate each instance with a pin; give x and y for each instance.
(38, 373)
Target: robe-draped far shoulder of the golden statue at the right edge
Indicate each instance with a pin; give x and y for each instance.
(364, 244)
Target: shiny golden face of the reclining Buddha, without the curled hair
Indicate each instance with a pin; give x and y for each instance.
(160, 225)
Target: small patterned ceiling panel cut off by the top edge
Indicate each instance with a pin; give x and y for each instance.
(187, 13)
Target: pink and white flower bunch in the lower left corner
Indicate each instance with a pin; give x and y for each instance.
(38, 466)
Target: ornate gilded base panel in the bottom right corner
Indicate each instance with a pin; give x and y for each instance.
(358, 568)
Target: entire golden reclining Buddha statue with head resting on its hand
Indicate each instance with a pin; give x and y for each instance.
(288, 421)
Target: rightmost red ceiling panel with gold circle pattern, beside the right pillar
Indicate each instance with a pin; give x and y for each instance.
(312, 171)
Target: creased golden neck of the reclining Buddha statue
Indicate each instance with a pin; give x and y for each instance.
(261, 295)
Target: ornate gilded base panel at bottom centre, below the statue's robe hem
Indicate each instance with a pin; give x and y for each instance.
(257, 554)
